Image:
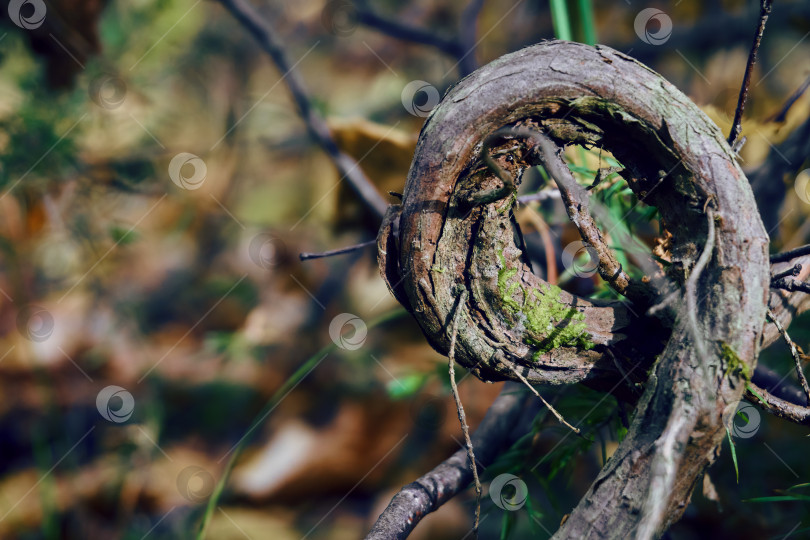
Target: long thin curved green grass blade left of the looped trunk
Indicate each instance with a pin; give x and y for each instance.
(271, 404)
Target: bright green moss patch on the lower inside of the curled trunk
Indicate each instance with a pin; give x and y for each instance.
(544, 314)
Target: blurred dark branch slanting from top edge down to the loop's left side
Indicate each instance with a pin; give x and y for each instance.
(266, 35)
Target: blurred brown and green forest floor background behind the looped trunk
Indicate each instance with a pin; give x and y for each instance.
(157, 327)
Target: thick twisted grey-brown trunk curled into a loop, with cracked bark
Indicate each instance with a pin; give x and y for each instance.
(676, 159)
